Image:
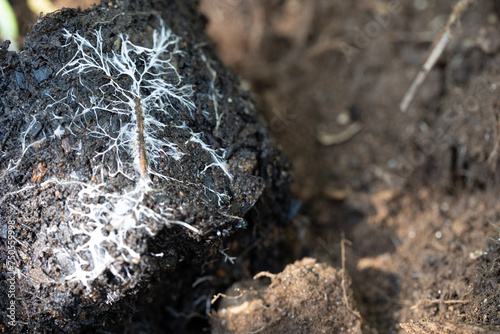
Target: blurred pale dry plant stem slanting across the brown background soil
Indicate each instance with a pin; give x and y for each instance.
(436, 50)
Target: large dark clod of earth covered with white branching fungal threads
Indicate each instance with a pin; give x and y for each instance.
(125, 149)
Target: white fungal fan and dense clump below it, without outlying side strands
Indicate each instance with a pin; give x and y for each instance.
(109, 215)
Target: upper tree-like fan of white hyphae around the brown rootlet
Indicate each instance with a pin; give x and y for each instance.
(140, 90)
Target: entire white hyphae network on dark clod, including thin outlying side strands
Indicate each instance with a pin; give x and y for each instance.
(142, 93)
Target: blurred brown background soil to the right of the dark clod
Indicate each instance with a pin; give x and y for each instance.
(416, 193)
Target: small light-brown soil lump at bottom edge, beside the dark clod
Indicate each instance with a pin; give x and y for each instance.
(306, 297)
